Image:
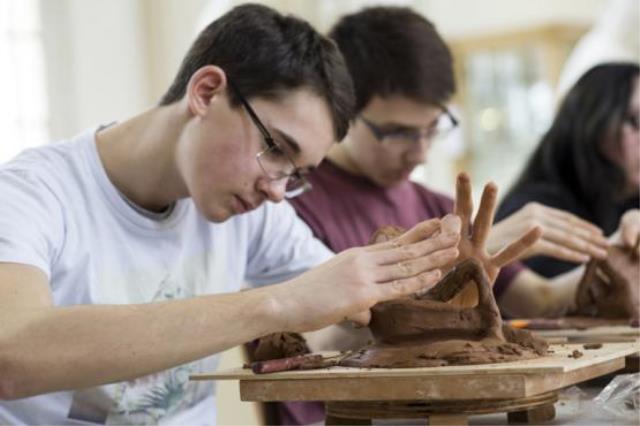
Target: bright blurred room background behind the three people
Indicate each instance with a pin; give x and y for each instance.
(66, 65)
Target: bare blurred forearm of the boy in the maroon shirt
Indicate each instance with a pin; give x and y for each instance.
(530, 295)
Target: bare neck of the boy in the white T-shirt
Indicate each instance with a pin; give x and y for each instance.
(139, 156)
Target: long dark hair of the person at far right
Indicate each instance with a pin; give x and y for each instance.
(570, 154)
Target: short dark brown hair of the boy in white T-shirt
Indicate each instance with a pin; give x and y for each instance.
(267, 54)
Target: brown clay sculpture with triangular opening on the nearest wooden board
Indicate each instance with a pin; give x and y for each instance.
(426, 331)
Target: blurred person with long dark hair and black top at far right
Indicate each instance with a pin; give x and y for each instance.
(588, 162)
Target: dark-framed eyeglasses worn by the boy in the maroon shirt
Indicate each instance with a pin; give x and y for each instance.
(445, 124)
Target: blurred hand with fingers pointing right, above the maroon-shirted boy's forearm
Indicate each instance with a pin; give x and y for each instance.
(564, 235)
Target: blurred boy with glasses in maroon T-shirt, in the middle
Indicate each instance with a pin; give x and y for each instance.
(403, 78)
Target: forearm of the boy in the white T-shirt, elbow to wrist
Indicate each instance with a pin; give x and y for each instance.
(49, 349)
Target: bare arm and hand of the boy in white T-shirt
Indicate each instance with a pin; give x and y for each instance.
(44, 348)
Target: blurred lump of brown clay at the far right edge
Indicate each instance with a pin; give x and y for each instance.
(610, 288)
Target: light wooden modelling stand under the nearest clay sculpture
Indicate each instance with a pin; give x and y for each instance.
(443, 395)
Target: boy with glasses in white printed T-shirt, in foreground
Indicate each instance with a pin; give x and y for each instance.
(122, 250)
